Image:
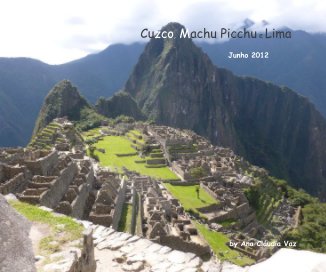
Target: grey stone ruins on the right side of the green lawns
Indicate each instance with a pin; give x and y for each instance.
(224, 178)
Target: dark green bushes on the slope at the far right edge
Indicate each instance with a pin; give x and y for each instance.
(310, 234)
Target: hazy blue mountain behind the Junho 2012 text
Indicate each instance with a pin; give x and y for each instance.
(298, 63)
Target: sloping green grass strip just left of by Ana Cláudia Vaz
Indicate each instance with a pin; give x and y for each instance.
(217, 242)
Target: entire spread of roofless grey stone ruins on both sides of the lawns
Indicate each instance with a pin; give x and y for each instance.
(68, 183)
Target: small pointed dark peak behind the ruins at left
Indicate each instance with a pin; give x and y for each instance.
(64, 100)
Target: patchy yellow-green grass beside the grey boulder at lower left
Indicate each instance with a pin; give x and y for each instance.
(63, 228)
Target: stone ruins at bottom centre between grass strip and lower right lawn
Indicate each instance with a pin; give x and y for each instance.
(164, 220)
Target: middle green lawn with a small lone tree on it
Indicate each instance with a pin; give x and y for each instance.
(188, 196)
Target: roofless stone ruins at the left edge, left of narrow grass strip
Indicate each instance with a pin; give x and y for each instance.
(63, 181)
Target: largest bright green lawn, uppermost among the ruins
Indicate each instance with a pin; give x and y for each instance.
(120, 145)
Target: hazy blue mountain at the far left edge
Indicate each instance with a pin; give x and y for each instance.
(23, 85)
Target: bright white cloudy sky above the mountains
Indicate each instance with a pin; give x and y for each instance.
(59, 31)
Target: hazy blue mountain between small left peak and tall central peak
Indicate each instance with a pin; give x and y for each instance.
(101, 74)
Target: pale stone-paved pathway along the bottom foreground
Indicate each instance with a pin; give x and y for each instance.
(123, 252)
